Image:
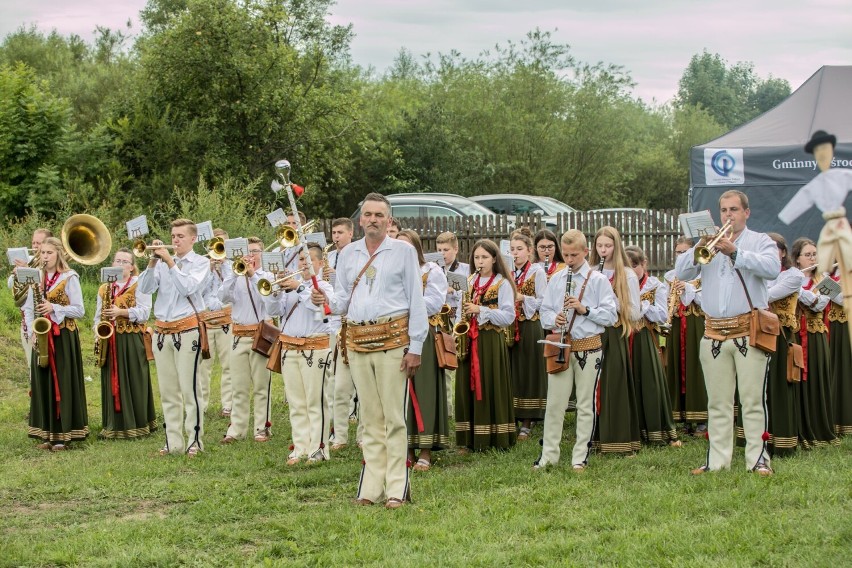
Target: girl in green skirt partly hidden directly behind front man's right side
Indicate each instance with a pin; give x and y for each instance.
(427, 416)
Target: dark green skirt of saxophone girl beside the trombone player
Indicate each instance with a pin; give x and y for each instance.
(137, 415)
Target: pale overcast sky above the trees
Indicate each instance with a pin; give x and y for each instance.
(652, 39)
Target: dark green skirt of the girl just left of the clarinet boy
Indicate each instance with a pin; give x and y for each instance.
(529, 372)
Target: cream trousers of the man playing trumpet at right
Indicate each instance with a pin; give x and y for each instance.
(724, 371)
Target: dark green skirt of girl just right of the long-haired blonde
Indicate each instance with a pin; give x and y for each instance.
(656, 423)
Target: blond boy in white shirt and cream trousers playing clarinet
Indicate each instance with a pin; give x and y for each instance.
(583, 321)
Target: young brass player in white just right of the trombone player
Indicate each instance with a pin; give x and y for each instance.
(250, 374)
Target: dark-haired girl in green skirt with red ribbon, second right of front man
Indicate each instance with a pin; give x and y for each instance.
(485, 417)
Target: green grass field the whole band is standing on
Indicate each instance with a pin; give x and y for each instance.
(115, 503)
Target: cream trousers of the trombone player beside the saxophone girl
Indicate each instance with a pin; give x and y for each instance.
(178, 358)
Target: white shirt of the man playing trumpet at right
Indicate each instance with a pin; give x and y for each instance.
(722, 292)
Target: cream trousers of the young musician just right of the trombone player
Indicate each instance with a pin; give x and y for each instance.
(250, 379)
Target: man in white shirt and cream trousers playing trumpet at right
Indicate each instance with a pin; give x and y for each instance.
(729, 362)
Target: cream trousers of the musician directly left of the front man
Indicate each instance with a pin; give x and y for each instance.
(304, 380)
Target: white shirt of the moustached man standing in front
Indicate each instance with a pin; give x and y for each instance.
(396, 287)
